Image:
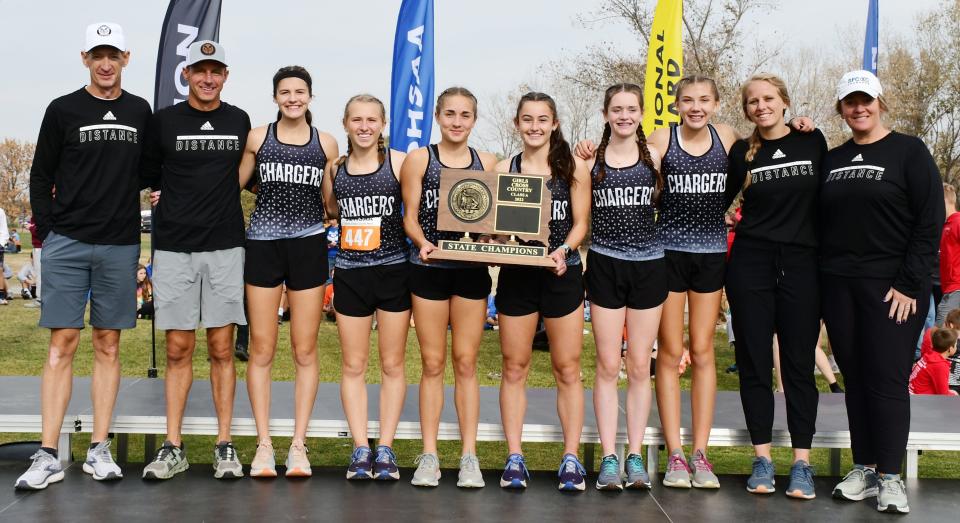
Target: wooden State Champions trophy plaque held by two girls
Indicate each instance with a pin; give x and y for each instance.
(507, 204)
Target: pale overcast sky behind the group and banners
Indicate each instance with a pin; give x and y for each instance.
(489, 45)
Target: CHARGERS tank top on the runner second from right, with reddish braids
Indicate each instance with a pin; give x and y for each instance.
(623, 213)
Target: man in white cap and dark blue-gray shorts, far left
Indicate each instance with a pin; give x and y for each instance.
(88, 151)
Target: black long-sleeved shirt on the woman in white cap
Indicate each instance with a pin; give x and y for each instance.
(881, 212)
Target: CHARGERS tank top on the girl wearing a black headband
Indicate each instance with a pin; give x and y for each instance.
(289, 201)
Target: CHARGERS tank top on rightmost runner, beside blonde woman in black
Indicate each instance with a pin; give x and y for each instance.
(692, 203)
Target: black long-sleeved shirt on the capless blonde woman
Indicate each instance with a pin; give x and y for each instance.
(780, 204)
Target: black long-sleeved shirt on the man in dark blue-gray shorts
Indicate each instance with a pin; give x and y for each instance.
(89, 148)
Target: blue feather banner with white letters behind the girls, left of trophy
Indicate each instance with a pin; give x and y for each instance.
(411, 84)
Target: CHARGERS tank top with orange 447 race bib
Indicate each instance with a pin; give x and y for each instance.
(371, 223)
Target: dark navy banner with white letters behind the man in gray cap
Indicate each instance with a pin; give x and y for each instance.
(186, 22)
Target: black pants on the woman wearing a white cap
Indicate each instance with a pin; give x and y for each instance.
(875, 355)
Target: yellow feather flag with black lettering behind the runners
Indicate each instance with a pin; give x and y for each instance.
(664, 66)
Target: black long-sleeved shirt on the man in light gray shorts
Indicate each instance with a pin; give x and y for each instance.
(193, 157)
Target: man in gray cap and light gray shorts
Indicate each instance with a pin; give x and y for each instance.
(193, 156)
